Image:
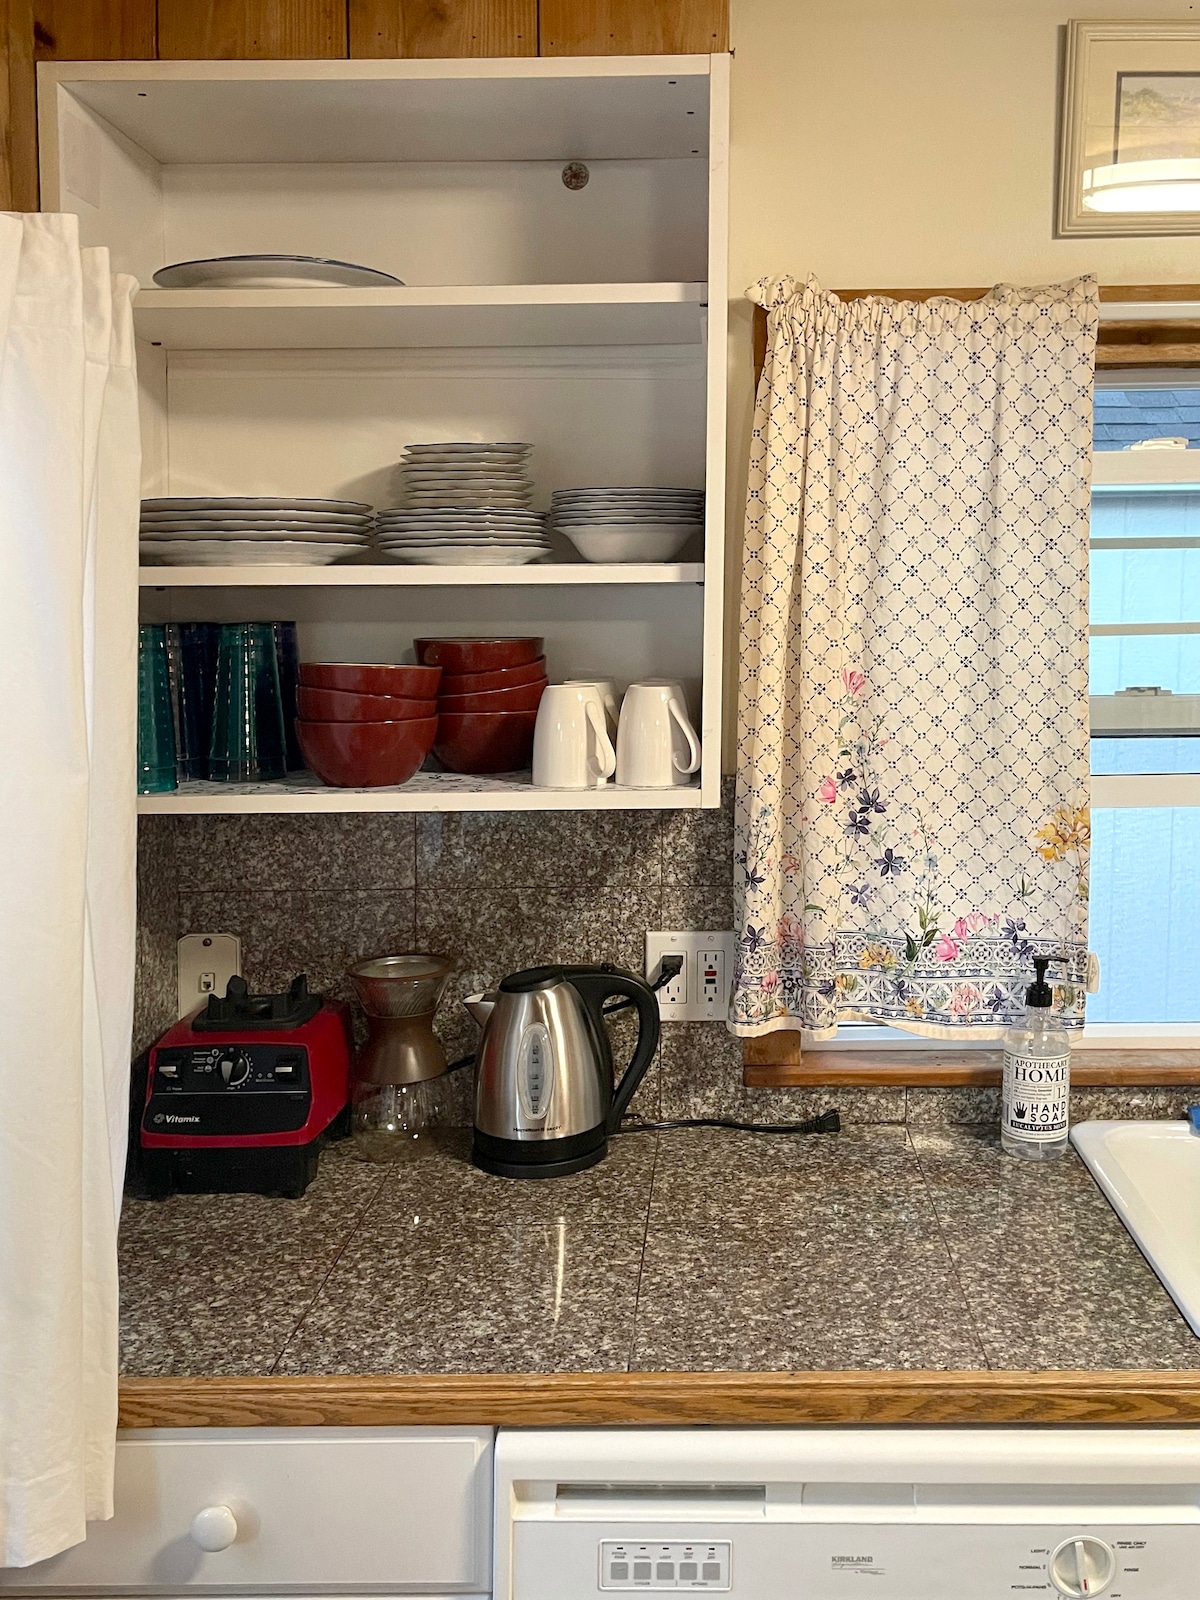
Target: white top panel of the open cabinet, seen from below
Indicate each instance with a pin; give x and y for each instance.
(529, 110)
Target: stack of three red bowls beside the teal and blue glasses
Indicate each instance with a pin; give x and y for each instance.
(362, 726)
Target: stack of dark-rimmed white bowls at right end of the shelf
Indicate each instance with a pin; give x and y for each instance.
(628, 524)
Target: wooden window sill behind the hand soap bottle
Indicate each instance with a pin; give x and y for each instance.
(777, 1062)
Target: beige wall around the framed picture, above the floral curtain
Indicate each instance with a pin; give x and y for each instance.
(905, 143)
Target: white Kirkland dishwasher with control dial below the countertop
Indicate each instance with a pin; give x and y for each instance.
(826, 1514)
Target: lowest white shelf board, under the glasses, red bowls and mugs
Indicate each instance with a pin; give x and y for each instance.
(303, 793)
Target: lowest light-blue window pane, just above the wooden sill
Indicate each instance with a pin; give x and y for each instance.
(1143, 919)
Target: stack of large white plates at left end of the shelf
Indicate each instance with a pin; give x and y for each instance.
(252, 530)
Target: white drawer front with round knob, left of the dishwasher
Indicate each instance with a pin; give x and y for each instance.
(390, 1510)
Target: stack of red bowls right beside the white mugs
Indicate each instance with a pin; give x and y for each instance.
(487, 702)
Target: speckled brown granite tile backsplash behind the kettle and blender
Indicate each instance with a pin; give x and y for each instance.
(498, 892)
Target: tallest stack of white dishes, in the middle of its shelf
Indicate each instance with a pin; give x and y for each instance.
(465, 505)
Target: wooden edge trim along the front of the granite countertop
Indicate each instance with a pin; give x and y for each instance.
(666, 1399)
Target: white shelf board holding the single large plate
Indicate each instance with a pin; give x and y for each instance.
(460, 316)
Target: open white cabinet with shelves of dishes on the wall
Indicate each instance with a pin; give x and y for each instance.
(590, 322)
